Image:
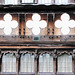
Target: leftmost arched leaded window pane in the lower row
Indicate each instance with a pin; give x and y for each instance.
(9, 63)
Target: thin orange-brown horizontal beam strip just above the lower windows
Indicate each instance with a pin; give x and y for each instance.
(36, 47)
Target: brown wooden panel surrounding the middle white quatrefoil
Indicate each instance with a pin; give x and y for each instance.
(43, 31)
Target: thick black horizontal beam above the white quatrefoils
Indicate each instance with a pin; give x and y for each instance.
(37, 8)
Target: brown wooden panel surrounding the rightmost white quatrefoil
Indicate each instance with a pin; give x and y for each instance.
(57, 31)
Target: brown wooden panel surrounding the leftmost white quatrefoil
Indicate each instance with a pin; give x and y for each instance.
(15, 31)
